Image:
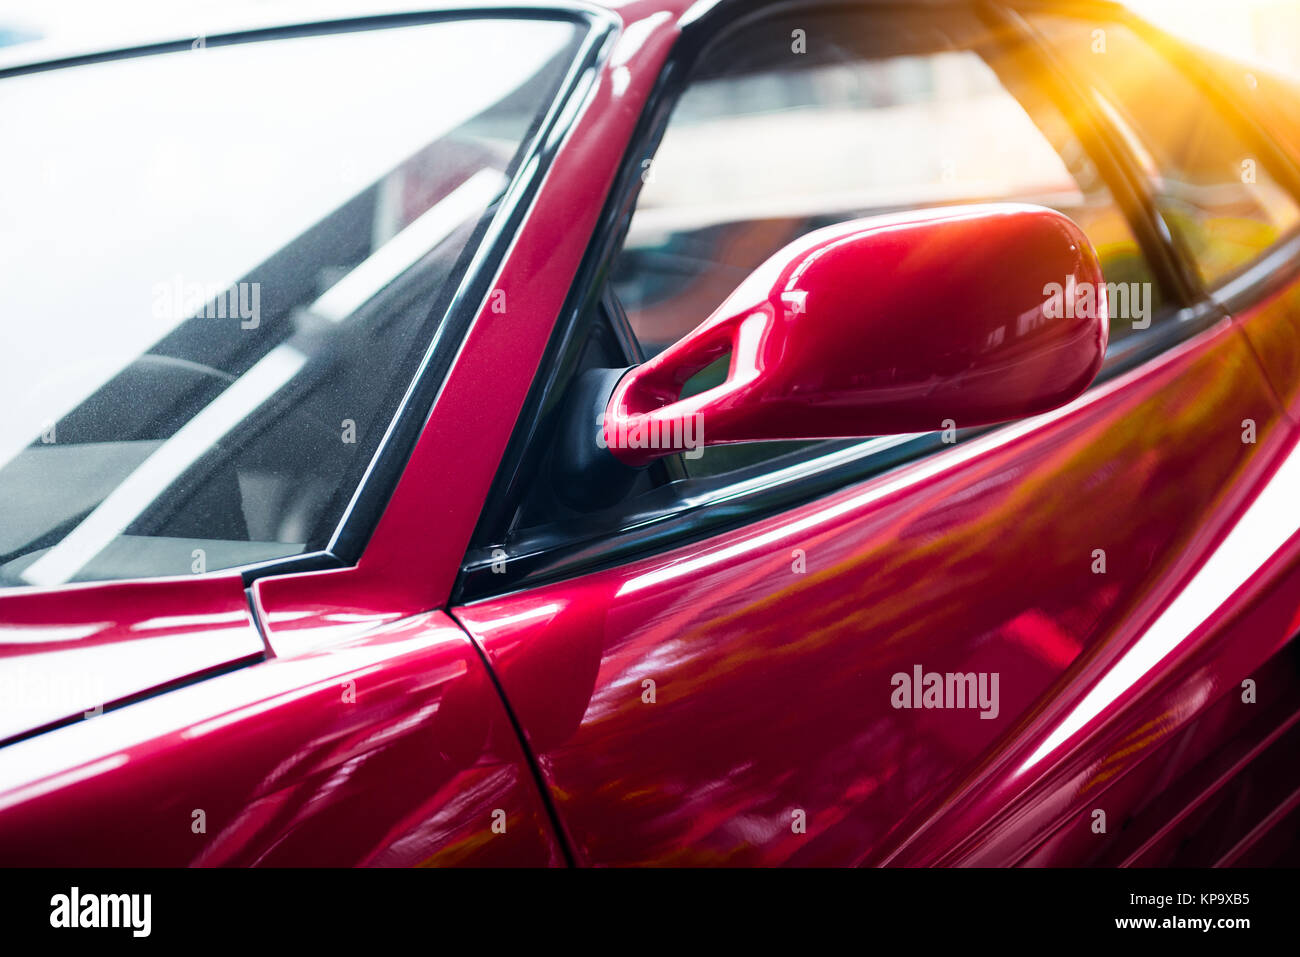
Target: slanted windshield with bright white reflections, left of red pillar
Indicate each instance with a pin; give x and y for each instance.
(223, 267)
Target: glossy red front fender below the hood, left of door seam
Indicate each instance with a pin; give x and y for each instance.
(388, 750)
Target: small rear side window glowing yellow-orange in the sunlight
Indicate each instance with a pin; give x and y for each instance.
(1210, 184)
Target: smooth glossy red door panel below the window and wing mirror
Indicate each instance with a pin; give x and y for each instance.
(772, 649)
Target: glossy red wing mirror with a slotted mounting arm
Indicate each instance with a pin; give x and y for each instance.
(892, 324)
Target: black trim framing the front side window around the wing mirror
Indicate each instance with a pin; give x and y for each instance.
(687, 512)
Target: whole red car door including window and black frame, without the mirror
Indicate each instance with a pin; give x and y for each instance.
(730, 666)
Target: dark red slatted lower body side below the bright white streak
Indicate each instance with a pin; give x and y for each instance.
(1190, 770)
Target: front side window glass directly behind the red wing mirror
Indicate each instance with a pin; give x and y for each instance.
(794, 125)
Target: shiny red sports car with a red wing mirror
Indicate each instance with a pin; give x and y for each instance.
(668, 434)
